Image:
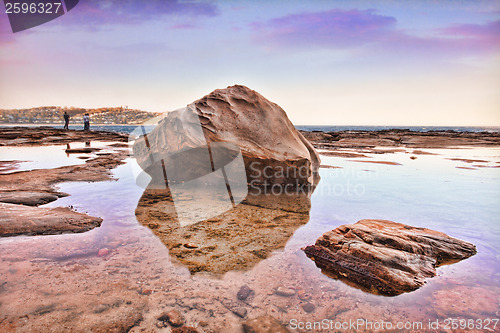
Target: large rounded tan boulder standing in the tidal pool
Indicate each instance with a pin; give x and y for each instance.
(239, 116)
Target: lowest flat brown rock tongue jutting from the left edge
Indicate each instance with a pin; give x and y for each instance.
(25, 220)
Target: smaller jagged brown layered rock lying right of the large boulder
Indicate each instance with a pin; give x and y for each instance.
(385, 257)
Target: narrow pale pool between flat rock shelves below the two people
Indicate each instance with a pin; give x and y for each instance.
(46, 157)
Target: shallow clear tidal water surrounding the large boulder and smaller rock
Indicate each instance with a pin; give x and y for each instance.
(68, 271)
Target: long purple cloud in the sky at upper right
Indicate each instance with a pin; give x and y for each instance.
(373, 32)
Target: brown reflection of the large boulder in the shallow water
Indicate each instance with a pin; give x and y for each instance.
(234, 240)
